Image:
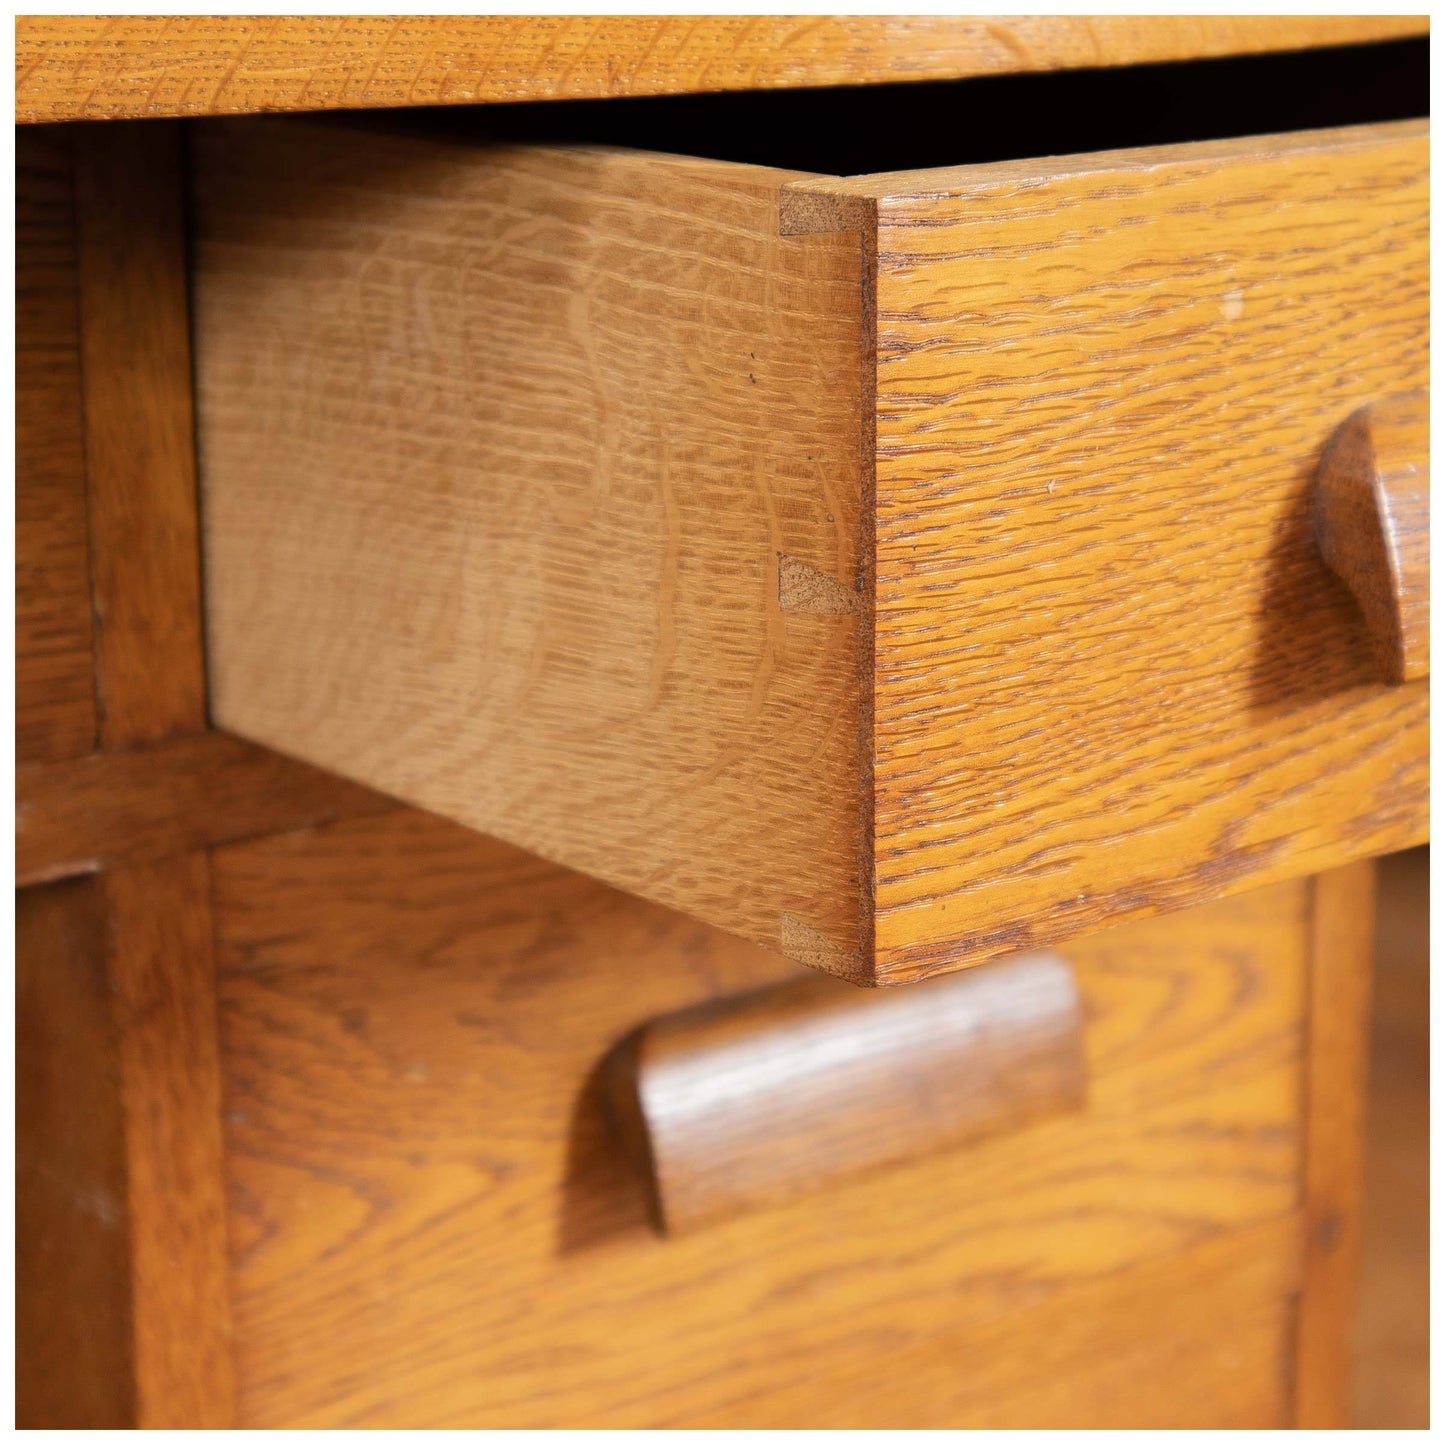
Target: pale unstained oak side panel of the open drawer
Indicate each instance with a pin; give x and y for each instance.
(499, 472)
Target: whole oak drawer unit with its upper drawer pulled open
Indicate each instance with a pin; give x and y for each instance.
(493, 605)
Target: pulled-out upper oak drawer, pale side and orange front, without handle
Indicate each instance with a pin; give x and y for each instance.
(895, 571)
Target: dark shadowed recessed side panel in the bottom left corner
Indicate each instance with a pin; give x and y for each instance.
(73, 1363)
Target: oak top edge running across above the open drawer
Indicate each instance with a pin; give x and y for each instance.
(112, 67)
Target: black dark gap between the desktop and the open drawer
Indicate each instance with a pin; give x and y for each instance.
(863, 129)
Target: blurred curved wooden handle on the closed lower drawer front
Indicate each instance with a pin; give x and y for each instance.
(759, 1097)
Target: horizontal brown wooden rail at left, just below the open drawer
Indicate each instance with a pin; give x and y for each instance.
(147, 804)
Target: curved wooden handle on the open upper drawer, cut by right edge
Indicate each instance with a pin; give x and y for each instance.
(1373, 524)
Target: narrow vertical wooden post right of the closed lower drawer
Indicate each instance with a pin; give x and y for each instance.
(1342, 940)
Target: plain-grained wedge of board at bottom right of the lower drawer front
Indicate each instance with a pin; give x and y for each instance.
(1139, 1350)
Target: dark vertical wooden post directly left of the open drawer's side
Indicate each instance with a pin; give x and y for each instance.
(139, 439)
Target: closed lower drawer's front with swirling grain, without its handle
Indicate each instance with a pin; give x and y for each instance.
(431, 1226)
